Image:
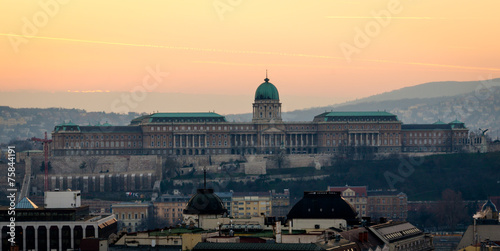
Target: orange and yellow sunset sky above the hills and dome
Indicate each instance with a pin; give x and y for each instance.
(213, 54)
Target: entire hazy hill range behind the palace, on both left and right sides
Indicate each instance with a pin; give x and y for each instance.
(477, 103)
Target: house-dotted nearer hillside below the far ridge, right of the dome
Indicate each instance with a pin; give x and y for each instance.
(477, 109)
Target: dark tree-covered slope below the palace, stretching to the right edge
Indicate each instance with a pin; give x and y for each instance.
(475, 175)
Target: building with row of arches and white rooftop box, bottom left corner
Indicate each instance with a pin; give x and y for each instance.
(61, 225)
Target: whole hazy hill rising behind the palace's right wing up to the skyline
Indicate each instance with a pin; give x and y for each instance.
(477, 103)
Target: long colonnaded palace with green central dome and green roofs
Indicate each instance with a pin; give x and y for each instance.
(209, 133)
